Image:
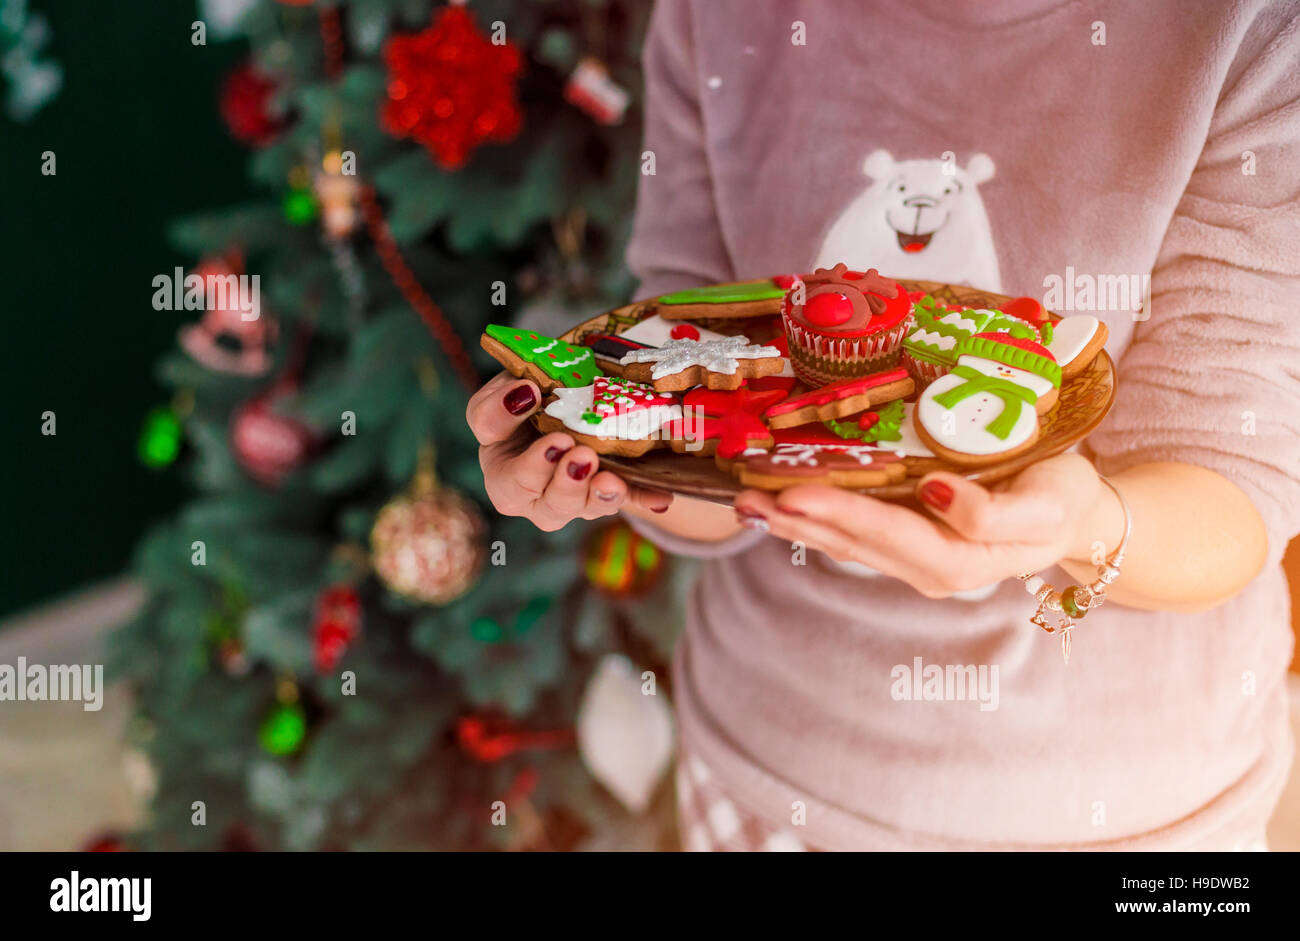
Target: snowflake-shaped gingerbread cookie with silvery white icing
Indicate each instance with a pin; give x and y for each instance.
(681, 365)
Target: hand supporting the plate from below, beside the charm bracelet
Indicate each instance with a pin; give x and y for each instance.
(972, 536)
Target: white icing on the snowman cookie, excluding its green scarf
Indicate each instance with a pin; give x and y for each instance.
(970, 417)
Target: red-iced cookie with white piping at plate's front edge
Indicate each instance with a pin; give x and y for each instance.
(788, 465)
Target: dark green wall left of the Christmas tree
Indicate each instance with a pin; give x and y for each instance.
(138, 142)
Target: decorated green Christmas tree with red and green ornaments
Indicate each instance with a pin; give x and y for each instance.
(344, 648)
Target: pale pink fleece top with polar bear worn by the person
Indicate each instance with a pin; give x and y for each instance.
(1124, 145)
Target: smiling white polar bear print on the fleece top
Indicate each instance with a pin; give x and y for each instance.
(918, 219)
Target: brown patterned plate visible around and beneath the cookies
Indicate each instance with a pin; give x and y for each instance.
(1084, 404)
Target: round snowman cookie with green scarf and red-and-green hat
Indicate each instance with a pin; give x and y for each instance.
(987, 409)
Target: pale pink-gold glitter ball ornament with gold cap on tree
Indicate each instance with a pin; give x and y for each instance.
(430, 544)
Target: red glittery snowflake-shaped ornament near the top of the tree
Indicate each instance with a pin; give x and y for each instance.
(452, 89)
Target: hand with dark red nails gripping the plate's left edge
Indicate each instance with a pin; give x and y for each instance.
(548, 480)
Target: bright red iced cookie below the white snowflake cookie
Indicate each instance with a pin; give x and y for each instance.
(726, 423)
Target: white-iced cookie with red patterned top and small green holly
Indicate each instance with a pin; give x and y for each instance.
(612, 415)
